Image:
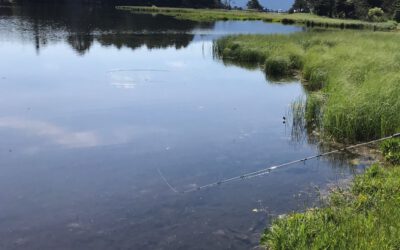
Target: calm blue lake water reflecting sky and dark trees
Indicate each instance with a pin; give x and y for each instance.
(96, 103)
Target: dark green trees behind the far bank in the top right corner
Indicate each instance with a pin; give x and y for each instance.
(374, 10)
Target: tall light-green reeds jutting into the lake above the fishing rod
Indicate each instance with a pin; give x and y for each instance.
(353, 77)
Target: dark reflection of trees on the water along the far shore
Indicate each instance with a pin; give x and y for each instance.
(81, 25)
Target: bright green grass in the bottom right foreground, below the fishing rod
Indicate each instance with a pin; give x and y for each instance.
(366, 216)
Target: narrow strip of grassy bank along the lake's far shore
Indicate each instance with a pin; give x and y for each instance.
(208, 15)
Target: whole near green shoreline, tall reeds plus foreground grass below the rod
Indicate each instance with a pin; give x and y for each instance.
(345, 73)
